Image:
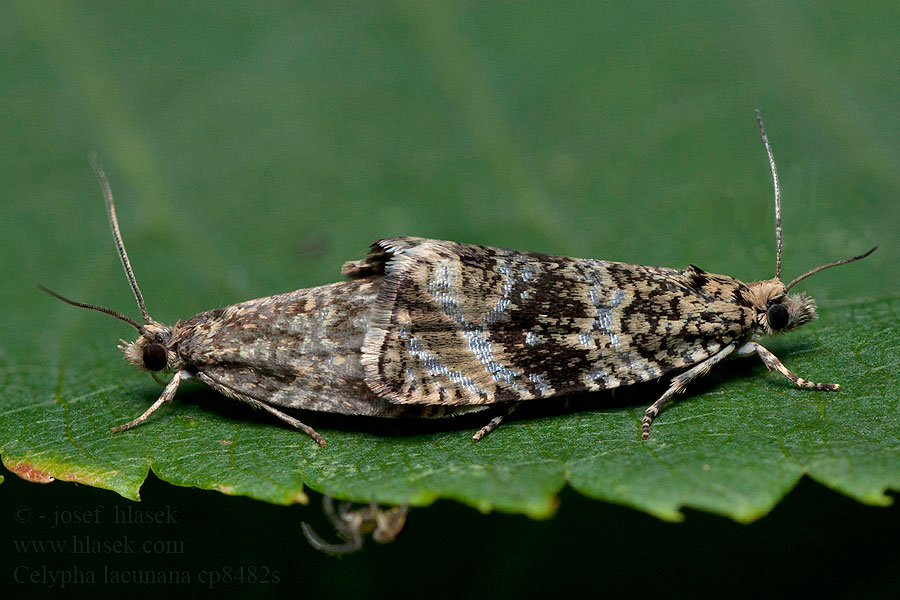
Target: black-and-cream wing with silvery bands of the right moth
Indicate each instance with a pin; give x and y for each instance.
(459, 325)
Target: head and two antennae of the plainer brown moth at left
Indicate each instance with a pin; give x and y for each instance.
(153, 350)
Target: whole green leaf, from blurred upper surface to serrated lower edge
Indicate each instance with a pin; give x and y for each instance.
(253, 154)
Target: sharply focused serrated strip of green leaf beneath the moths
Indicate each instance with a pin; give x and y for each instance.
(735, 447)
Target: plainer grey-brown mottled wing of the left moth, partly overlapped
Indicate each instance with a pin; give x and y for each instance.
(295, 350)
